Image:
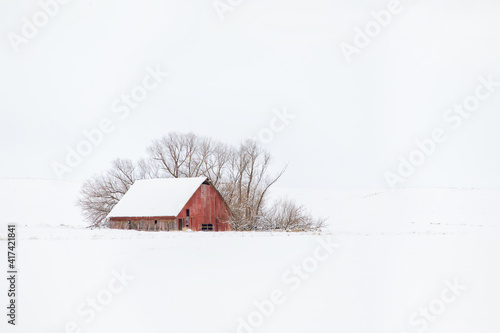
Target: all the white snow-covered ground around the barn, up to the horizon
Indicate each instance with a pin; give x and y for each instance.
(410, 260)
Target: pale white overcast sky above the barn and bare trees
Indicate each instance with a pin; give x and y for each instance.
(353, 120)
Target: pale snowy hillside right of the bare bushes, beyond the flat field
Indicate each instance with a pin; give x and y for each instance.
(401, 210)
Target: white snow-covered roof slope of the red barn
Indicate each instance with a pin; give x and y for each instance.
(157, 197)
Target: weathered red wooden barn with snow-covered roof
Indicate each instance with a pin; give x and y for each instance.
(171, 204)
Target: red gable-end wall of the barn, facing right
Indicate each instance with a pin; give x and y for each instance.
(206, 206)
